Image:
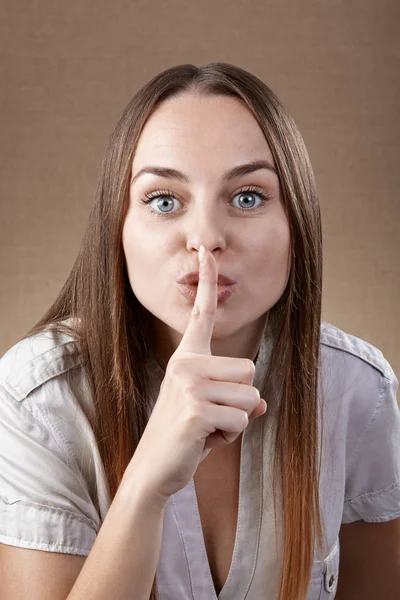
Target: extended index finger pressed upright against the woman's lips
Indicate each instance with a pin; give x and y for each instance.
(198, 333)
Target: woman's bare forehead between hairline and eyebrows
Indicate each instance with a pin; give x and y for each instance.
(200, 128)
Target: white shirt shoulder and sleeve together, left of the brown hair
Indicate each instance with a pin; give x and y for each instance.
(53, 485)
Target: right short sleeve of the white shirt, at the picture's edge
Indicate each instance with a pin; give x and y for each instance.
(373, 474)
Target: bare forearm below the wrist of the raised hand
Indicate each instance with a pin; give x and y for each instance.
(123, 560)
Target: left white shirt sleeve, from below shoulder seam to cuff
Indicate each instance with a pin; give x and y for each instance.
(44, 503)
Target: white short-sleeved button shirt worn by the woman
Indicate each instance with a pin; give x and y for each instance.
(53, 495)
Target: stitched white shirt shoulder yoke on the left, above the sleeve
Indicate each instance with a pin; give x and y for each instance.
(33, 361)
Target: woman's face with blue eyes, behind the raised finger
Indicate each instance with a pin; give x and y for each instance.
(204, 138)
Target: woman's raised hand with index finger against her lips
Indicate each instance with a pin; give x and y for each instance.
(204, 400)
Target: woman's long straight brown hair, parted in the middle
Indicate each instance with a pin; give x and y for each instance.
(113, 332)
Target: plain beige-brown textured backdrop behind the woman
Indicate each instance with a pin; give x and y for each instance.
(69, 68)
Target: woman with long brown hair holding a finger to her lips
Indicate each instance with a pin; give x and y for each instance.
(138, 398)
